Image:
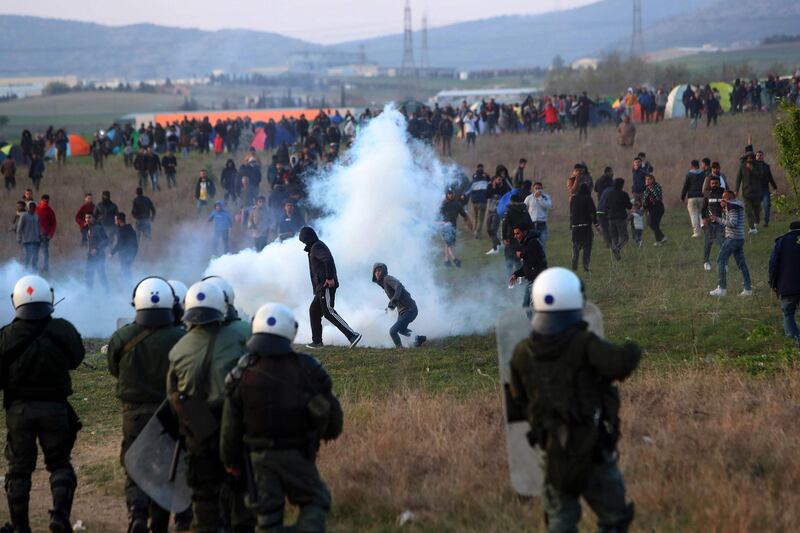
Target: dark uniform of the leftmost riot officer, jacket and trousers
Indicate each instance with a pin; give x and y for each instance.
(35, 359)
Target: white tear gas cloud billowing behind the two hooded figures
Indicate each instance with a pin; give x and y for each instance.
(380, 204)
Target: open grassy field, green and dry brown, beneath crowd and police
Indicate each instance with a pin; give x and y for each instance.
(709, 440)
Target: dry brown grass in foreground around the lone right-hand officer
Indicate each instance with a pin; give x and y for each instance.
(704, 449)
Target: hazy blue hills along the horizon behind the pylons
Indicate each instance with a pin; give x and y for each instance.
(40, 46)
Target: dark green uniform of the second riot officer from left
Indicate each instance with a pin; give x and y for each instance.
(141, 374)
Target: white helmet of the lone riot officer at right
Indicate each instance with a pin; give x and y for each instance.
(557, 300)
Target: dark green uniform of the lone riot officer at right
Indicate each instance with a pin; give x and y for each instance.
(564, 384)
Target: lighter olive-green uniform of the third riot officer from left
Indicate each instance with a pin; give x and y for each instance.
(214, 494)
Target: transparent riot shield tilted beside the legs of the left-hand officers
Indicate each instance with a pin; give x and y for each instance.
(152, 463)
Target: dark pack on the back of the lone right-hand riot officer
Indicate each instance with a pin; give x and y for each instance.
(567, 436)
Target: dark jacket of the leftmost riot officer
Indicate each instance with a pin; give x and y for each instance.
(36, 357)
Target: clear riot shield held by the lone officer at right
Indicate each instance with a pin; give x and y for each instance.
(523, 459)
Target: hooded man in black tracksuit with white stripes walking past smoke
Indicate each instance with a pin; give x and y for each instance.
(324, 281)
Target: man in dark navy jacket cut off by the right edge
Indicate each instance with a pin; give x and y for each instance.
(784, 277)
